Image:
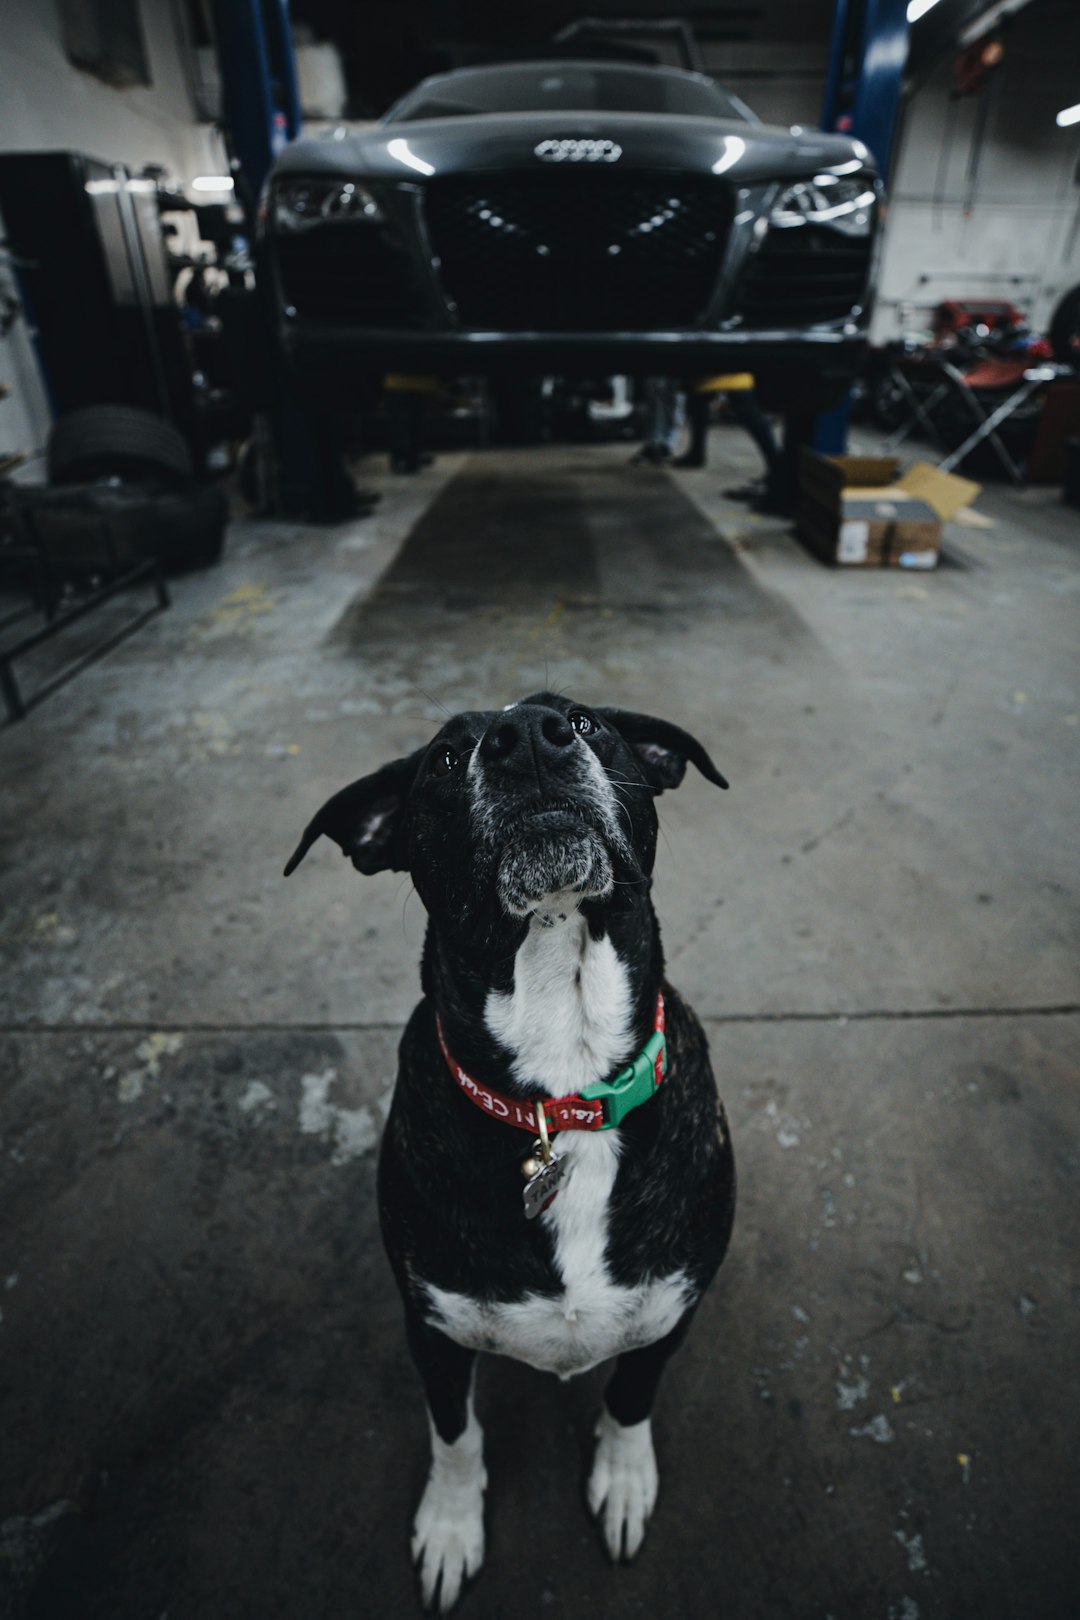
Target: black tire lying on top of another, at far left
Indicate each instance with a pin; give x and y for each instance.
(117, 441)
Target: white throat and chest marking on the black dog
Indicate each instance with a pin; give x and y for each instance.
(568, 1023)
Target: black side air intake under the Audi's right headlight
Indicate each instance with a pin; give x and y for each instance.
(804, 276)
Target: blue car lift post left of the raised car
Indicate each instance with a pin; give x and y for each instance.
(261, 101)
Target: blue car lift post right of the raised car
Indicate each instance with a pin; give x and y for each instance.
(862, 100)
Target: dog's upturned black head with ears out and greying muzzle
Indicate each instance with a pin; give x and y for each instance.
(519, 811)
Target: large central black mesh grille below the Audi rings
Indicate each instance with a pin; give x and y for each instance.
(579, 252)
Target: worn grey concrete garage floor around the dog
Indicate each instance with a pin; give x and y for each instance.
(205, 1397)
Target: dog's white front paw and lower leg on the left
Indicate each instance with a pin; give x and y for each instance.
(449, 1528)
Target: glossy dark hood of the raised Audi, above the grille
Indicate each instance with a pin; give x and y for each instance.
(749, 153)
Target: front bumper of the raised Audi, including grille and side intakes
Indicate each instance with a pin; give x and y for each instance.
(695, 289)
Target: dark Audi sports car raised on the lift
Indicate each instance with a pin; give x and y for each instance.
(574, 218)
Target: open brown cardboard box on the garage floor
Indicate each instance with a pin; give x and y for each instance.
(861, 511)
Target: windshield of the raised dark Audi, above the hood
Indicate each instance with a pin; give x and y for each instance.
(568, 87)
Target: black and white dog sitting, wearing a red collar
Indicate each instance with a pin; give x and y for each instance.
(556, 1179)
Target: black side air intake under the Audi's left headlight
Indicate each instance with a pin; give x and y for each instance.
(347, 275)
